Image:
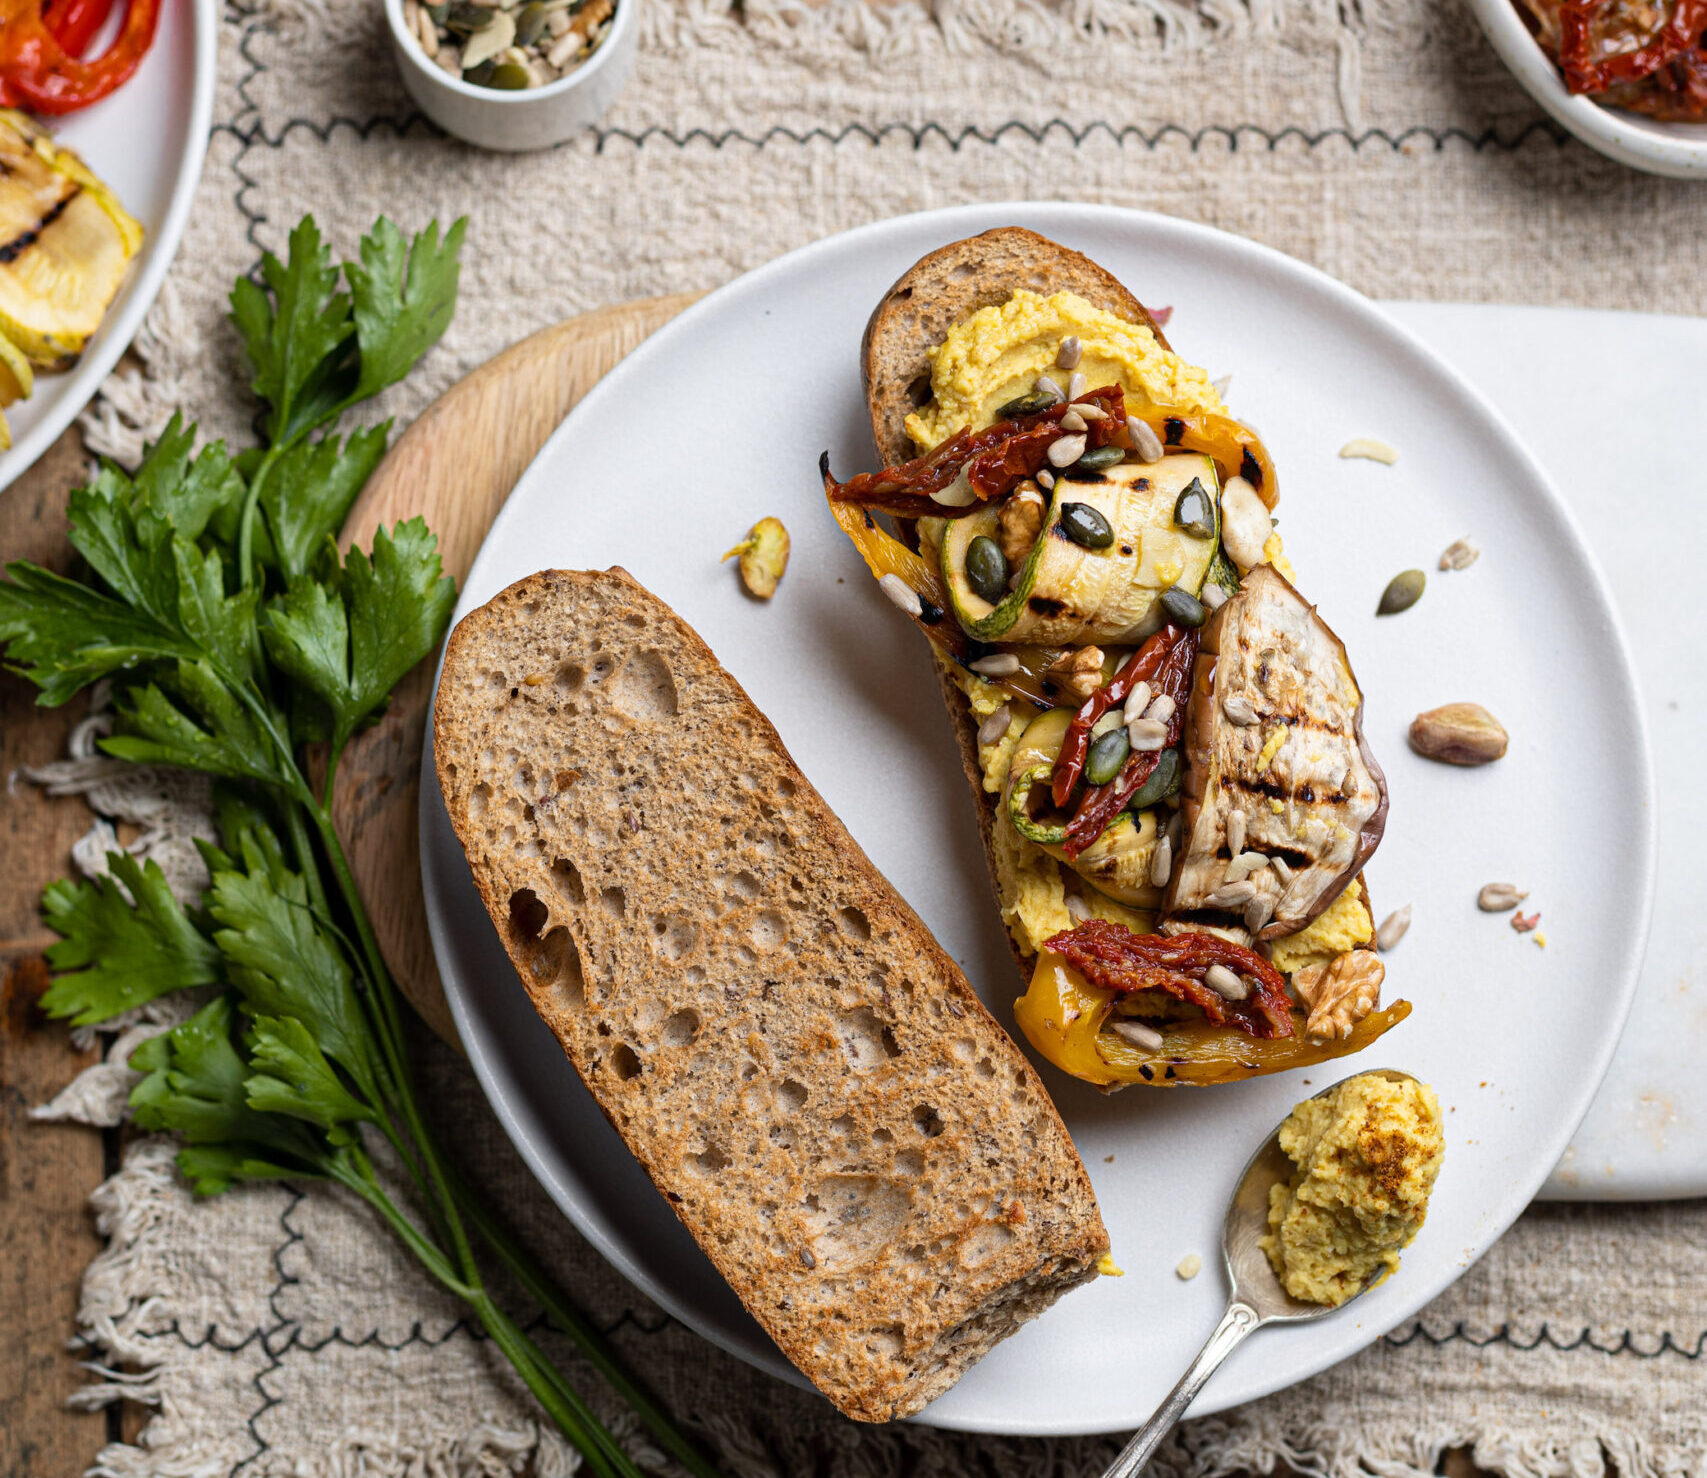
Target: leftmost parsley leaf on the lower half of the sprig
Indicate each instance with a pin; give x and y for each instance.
(120, 953)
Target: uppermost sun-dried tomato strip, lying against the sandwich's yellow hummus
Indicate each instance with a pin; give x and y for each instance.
(996, 460)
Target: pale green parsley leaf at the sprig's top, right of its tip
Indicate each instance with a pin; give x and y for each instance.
(404, 300)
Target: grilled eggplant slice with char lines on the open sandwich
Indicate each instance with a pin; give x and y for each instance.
(1274, 731)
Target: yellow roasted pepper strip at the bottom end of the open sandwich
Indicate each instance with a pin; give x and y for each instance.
(1064, 1018)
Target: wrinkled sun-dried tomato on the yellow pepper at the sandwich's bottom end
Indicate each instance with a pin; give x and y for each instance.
(1114, 958)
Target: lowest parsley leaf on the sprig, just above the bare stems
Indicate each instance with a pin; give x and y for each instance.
(197, 1085)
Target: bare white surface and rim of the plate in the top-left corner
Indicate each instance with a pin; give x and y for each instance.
(148, 143)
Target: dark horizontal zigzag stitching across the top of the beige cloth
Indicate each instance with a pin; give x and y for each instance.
(958, 139)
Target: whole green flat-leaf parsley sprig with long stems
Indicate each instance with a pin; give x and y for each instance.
(236, 636)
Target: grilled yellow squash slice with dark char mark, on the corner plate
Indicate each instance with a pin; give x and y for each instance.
(64, 245)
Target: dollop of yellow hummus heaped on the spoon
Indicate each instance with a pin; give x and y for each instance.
(1366, 1160)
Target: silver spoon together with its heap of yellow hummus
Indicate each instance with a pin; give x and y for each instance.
(1319, 1218)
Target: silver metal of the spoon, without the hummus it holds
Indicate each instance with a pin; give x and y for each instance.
(1257, 1295)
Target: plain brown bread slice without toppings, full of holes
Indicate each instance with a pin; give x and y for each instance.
(807, 1076)
